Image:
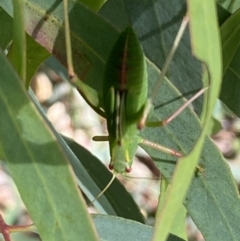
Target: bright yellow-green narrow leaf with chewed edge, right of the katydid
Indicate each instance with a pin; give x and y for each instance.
(203, 29)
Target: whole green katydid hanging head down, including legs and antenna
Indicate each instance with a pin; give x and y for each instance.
(125, 103)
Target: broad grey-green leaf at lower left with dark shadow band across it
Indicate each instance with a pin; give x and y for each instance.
(38, 166)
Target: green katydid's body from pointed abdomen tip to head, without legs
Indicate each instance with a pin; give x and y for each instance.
(125, 94)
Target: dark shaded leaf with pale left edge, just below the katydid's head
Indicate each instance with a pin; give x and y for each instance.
(91, 172)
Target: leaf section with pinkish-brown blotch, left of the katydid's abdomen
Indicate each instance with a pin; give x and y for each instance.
(44, 22)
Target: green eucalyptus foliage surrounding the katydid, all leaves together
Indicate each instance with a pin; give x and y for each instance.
(40, 161)
